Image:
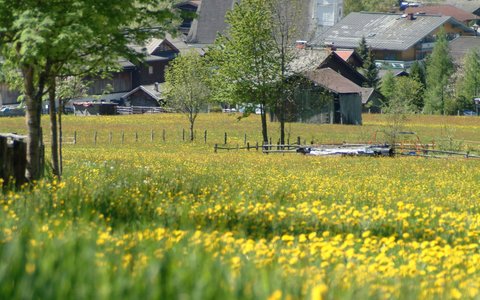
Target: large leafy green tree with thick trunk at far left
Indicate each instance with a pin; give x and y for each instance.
(41, 40)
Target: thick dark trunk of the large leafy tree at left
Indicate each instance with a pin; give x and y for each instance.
(33, 121)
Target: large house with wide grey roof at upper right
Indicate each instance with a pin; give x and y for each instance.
(394, 38)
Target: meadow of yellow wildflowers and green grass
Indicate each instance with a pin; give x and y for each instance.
(173, 220)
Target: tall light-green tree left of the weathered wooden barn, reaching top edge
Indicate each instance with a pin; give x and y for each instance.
(247, 59)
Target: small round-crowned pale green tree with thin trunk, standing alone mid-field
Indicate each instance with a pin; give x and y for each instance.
(187, 86)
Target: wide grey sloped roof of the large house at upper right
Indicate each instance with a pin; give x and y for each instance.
(383, 31)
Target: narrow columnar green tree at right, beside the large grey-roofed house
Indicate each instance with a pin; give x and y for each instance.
(439, 70)
